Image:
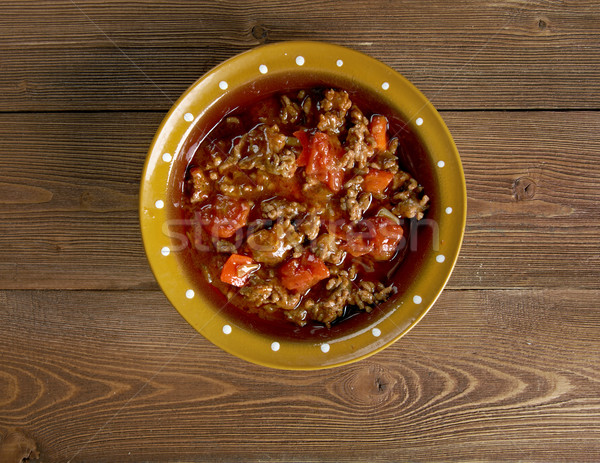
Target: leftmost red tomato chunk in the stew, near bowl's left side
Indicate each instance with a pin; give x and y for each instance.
(225, 215)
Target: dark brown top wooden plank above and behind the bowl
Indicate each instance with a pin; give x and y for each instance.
(87, 55)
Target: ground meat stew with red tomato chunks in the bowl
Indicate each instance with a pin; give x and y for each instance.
(298, 208)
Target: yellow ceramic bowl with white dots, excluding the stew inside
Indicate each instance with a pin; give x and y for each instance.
(434, 162)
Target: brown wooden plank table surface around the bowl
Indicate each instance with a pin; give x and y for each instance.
(97, 366)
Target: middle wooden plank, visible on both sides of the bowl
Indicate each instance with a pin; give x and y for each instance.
(69, 185)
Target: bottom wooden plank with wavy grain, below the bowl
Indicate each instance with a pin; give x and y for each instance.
(120, 376)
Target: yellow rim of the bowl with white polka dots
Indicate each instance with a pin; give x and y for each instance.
(308, 56)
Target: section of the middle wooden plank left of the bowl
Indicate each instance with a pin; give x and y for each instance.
(69, 192)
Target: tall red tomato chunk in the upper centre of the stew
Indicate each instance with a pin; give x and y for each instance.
(323, 162)
